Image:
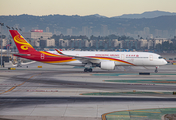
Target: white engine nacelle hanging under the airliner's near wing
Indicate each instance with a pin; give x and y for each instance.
(107, 65)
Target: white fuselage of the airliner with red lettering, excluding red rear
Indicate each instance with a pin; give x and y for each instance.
(119, 58)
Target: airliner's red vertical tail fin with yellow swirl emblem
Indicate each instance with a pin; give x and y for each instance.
(22, 45)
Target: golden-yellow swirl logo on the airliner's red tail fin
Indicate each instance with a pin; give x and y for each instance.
(24, 44)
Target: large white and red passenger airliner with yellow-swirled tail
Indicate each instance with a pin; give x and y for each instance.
(88, 59)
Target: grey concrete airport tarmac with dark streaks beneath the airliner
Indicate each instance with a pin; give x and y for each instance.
(56, 92)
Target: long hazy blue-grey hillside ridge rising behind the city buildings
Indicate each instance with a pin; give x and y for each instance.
(94, 24)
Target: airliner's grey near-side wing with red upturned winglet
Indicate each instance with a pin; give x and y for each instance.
(81, 58)
